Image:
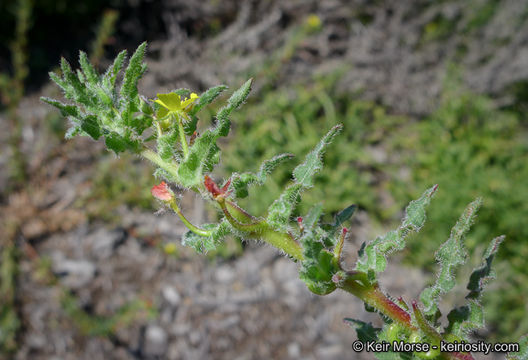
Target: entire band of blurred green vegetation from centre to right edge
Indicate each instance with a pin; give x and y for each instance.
(468, 145)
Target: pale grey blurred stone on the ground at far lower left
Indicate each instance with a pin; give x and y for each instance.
(74, 273)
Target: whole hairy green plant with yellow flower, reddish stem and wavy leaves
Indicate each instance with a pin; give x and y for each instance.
(164, 131)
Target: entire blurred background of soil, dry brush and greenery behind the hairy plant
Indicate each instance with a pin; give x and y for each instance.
(428, 92)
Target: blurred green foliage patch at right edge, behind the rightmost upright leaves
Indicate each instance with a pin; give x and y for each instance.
(472, 149)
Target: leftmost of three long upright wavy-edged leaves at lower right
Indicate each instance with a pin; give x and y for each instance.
(373, 256)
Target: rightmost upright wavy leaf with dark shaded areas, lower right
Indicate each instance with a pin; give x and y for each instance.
(465, 319)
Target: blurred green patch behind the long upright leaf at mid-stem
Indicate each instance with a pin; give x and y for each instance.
(291, 120)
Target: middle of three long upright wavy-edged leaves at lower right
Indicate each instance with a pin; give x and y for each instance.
(450, 255)
